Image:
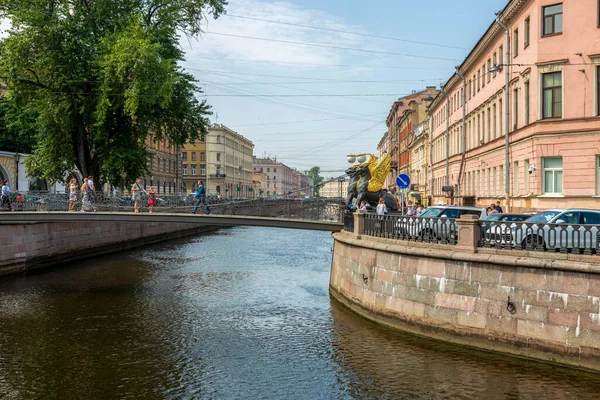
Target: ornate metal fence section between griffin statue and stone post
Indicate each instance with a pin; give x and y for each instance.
(416, 229)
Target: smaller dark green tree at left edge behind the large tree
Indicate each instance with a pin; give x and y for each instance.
(16, 127)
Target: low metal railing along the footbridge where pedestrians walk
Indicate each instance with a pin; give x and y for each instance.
(309, 209)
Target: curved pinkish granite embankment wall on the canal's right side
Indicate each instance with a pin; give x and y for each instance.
(461, 295)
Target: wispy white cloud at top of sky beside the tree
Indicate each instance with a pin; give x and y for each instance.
(258, 50)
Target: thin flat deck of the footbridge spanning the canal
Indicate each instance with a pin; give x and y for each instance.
(163, 217)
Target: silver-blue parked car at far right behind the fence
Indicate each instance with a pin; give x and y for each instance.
(556, 229)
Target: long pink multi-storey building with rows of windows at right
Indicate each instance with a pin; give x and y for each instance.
(553, 67)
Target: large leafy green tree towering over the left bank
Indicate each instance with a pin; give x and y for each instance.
(100, 76)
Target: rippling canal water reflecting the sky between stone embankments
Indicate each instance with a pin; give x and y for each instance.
(242, 313)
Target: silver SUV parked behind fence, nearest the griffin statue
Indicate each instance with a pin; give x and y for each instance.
(438, 222)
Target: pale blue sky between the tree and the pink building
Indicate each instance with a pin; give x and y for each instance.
(312, 105)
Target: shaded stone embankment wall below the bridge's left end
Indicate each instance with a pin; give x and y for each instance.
(35, 245)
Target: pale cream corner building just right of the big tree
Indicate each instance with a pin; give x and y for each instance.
(229, 170)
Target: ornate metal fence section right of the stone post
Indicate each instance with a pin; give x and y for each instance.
(558, 238)
